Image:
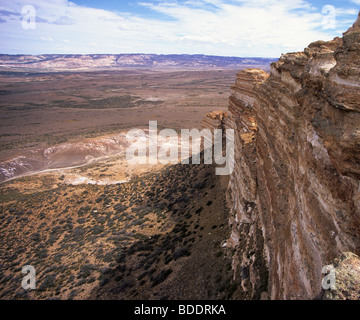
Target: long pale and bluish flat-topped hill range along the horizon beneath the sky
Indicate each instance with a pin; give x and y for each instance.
(72, 62)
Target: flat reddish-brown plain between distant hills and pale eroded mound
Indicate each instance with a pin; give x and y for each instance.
(43, 109)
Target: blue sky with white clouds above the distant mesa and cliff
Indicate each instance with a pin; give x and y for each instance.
(241, 28)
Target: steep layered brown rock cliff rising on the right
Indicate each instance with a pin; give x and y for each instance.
(294, 194)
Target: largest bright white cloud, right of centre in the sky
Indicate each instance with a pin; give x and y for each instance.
(268, 24)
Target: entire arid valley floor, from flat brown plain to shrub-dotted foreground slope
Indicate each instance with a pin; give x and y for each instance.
(107, 229)
